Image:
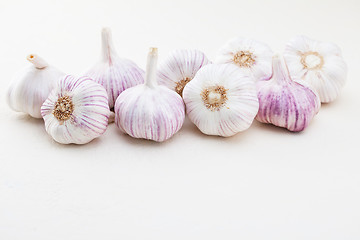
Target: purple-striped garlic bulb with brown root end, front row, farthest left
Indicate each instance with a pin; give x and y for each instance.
(76, 111)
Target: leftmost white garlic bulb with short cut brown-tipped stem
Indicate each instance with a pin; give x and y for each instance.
(29, 89)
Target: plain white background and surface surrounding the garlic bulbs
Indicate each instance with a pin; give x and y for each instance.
(264, 183)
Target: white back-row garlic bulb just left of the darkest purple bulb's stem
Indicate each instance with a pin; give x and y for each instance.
(251, 56)
